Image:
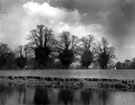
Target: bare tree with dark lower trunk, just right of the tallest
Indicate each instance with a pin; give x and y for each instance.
(67, 48)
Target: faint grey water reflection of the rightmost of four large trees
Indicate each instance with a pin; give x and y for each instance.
(103, 97)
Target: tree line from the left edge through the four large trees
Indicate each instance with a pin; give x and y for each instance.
(45, 51)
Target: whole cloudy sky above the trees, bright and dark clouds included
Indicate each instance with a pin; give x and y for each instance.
(113, 19)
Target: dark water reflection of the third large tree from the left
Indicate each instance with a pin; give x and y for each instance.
(86, 96)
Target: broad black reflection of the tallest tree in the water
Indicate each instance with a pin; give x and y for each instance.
(41, 96)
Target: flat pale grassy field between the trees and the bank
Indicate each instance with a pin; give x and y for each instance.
(110, 74)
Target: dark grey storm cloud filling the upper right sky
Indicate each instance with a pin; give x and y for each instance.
(119, 14)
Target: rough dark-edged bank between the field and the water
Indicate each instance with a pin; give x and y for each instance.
(72, 83)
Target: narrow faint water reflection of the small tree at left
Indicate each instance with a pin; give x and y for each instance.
(22, 94)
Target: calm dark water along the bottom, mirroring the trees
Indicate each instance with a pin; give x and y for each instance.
(22, 95)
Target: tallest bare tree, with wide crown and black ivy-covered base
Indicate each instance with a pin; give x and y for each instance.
(42, 42)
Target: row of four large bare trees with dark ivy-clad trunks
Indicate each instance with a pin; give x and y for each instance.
(68, 49)
